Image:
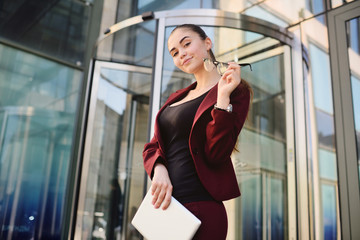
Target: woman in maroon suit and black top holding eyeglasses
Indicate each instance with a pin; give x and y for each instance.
(195, 133)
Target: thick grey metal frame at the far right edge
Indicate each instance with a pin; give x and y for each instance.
(348, 172)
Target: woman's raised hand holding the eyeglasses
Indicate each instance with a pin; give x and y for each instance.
(229, 80)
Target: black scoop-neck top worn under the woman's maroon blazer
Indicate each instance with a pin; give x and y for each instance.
(175, 124)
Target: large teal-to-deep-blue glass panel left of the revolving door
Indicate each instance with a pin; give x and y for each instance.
(38, 103)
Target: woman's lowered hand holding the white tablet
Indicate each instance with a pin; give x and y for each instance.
(161, 187)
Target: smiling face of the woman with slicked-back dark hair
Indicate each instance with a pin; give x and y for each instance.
(188, 50)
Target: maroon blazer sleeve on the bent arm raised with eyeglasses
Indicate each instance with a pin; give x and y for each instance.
(224, 128)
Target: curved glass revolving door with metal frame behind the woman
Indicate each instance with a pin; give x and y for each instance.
(133, 75)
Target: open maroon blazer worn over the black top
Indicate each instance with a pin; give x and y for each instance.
(212, 139)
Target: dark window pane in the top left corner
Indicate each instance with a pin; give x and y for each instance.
(57, 28)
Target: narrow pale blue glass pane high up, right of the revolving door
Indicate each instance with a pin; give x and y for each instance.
(320, 72)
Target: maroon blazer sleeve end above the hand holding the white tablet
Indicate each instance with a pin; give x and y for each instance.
(152, 154)
